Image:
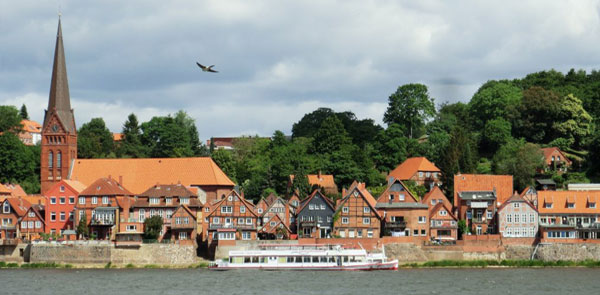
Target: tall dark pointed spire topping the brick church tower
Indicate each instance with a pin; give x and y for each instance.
(60, 101)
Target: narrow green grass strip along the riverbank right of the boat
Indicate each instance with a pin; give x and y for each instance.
(504, 263)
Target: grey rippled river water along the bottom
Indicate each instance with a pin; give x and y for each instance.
(202, 281)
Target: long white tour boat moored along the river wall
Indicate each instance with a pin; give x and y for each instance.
(305, 257)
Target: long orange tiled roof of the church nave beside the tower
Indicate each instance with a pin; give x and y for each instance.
(140, 174)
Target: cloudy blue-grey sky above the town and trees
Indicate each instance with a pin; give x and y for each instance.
(278, 60)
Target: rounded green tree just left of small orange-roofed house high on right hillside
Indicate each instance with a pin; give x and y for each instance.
(519, 159)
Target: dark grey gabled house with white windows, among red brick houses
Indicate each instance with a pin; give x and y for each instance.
(314, 217)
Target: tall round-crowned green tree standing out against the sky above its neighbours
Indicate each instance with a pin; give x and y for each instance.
(410, 106)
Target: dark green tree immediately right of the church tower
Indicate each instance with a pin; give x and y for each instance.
(94, 140)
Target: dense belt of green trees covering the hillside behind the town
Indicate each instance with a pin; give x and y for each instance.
(500, 130)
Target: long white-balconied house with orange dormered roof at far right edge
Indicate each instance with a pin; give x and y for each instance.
(569, 215)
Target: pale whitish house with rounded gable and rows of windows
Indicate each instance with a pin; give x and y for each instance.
(517, 218)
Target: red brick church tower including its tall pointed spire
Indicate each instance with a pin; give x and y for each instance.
(59, 133)
